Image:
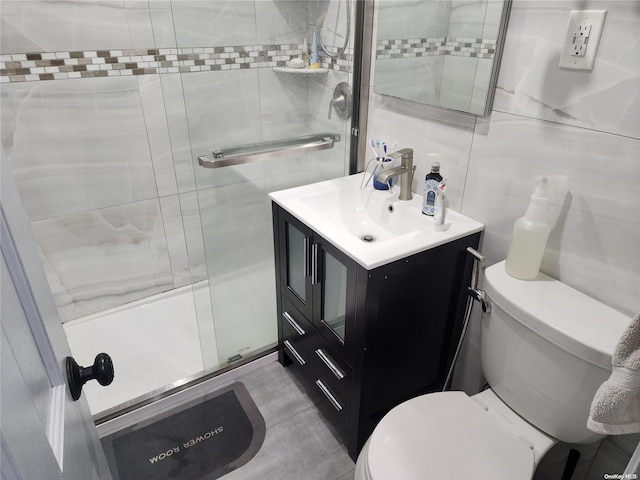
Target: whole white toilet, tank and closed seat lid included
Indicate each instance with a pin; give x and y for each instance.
(545, 350)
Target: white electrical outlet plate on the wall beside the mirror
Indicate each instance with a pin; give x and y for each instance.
(582, 40)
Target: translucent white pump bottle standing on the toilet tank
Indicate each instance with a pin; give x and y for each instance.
(530, 235)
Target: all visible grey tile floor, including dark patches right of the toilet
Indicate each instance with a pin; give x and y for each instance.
(300, 446)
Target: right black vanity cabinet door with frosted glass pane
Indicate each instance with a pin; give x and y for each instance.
(334, 287)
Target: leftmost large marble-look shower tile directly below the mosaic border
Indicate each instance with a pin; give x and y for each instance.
(77, 145)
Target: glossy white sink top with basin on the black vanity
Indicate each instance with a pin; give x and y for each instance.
(371, 226)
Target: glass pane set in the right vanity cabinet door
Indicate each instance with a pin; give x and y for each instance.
(334, 294)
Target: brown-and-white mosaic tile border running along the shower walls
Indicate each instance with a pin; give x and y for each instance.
(29, 67)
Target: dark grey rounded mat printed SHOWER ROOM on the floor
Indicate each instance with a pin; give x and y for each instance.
(201, 440)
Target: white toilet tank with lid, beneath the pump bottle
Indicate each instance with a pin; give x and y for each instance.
(546, 348)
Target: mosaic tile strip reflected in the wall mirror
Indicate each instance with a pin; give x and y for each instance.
(421, 47)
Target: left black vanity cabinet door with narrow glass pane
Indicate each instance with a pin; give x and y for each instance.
(295, 267)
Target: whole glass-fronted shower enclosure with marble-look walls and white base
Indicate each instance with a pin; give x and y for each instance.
(106, 106)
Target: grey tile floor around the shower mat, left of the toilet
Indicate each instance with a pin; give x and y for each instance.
(298, 444)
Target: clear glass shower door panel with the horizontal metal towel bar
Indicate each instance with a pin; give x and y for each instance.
(234, 89)
